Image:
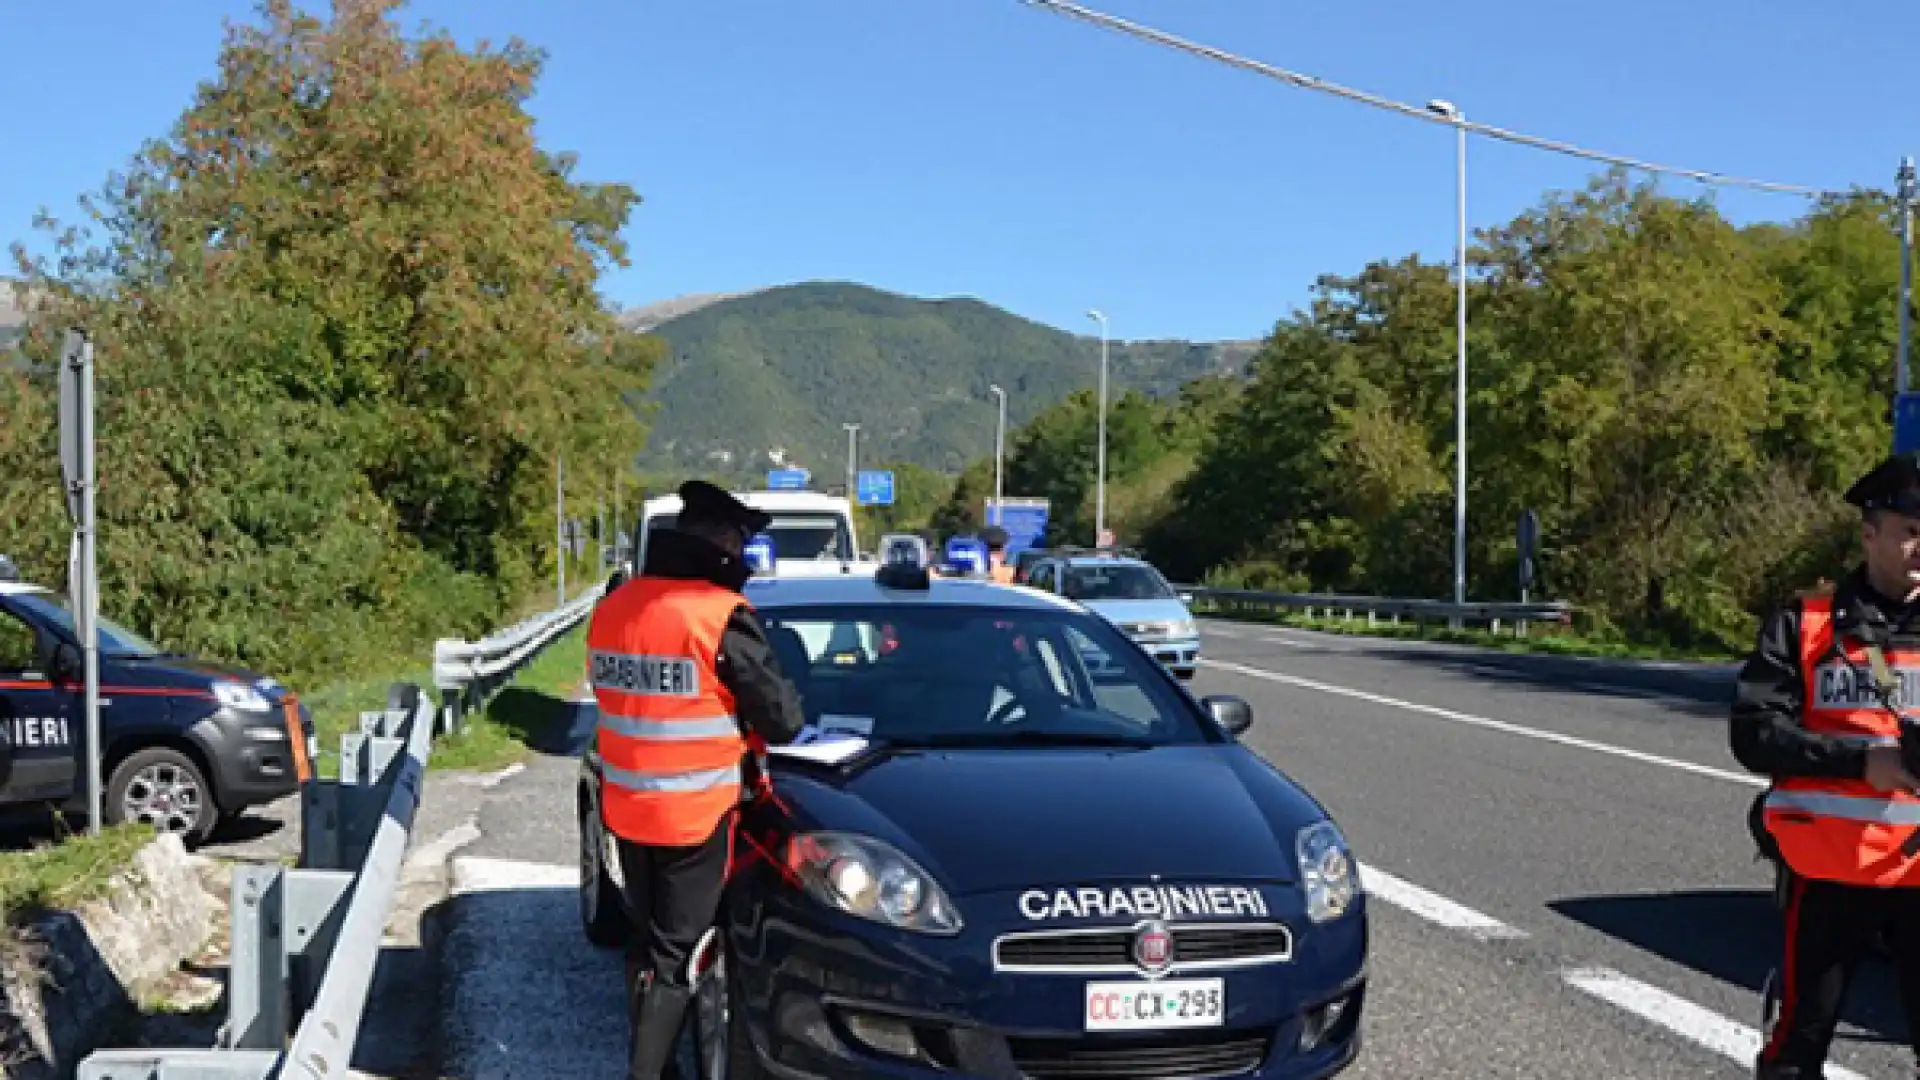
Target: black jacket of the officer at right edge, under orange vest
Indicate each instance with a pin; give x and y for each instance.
(1767, 733)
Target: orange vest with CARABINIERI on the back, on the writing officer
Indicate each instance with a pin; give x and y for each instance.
(669, 737)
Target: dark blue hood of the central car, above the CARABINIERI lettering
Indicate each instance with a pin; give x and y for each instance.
(1001, 820)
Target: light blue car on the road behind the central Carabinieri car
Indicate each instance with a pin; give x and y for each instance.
(1132, 595)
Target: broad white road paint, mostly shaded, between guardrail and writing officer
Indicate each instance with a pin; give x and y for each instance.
(527, 994)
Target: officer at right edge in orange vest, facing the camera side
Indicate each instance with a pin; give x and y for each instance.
(1819, 710)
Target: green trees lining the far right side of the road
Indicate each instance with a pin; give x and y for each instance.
(1681, 401)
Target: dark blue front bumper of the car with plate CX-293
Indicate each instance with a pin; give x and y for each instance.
(830, 996)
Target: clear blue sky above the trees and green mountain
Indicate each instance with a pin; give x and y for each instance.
(990, 149)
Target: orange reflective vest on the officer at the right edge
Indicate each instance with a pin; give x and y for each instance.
(1844, 831)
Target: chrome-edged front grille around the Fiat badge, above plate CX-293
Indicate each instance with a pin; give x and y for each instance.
(1197, 946)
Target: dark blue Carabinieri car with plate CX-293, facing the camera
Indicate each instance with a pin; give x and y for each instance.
(990, 860)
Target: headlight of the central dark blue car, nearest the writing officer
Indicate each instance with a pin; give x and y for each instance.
(871, 879)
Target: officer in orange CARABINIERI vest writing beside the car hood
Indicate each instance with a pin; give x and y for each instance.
(683, 674)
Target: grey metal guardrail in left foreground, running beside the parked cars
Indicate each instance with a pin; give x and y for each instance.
(304, 941)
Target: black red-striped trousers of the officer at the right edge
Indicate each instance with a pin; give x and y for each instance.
(1831, 929)
